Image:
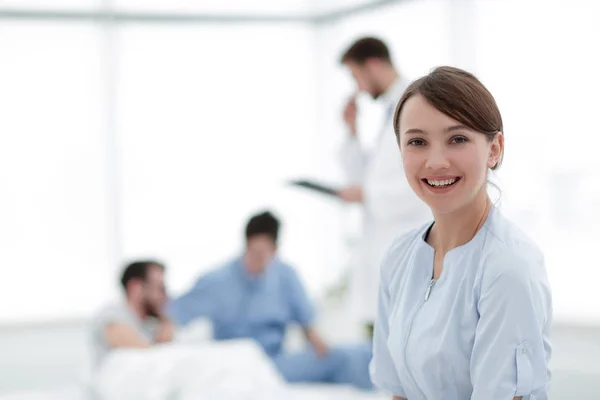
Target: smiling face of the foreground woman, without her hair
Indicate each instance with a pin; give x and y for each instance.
(445, 162)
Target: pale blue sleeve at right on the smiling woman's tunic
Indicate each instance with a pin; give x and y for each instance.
(511, 349)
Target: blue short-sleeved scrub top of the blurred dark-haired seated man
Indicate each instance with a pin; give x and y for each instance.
(241, 305)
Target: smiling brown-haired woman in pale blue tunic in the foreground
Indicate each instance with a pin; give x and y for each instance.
(471, 287)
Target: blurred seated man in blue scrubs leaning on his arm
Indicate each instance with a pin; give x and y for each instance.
(256, 296)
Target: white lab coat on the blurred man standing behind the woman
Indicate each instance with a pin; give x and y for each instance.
(390, 206)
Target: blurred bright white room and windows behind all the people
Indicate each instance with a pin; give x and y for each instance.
(154, 128)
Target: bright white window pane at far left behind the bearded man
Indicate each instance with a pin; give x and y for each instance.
(54, 235)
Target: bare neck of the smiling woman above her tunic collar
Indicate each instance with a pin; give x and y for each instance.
(459, 227)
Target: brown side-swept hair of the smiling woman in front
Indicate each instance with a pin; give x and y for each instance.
(459, 95)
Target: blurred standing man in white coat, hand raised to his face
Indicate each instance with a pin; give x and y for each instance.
(376, 177)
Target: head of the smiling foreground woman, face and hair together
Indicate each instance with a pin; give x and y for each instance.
(449, 120)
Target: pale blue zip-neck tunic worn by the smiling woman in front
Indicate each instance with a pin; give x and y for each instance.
(480, 332)
